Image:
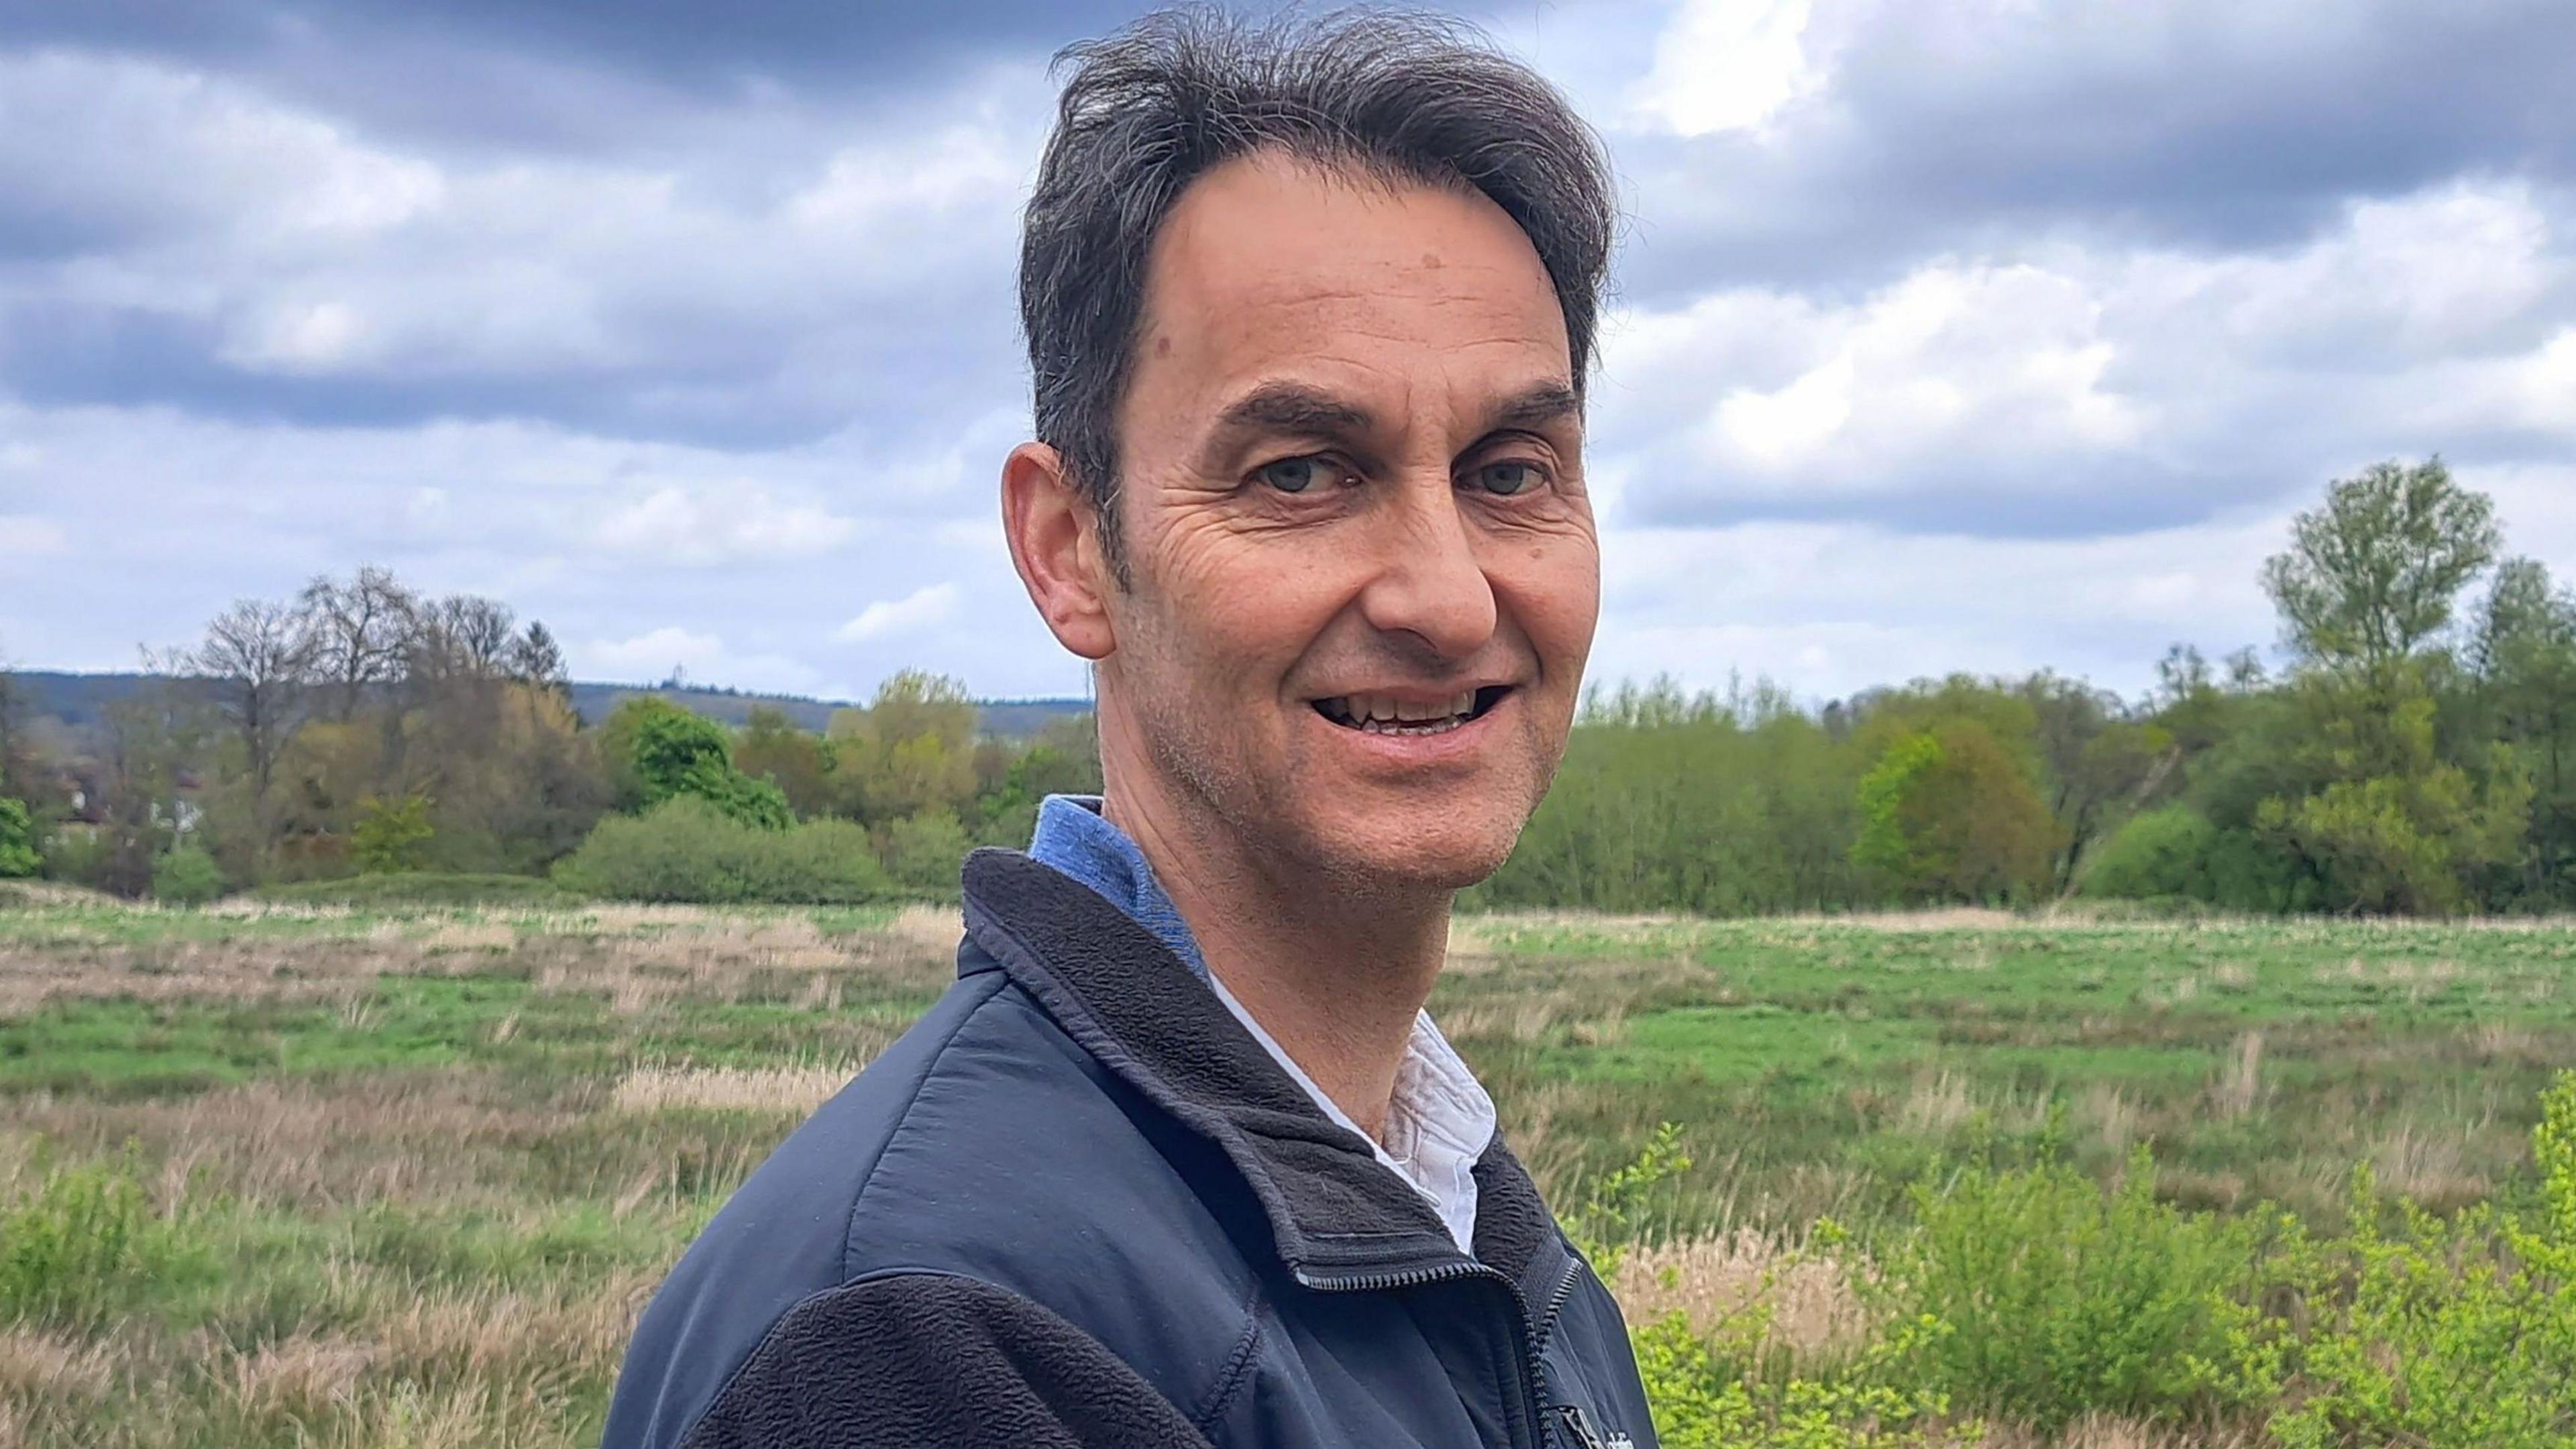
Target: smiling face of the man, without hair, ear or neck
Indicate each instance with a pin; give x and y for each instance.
(1364, 571)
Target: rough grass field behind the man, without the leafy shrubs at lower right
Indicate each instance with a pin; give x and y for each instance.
(406, 1180)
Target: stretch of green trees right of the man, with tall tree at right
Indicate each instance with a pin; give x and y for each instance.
(2418, 754)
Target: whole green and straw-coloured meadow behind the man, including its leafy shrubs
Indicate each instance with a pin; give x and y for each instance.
(401, 1177)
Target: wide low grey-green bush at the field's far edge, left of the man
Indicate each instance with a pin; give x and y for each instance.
(692, 852)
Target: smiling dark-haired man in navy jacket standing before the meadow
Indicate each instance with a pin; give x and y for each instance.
(1181, 1159)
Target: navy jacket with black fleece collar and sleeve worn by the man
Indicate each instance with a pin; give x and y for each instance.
(1078, 1205)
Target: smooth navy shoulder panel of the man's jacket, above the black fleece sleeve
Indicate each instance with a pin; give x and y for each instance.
(983, 1146)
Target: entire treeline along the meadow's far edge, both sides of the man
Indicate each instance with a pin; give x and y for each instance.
(2415, 754)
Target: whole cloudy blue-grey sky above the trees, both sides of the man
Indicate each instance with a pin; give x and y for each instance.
(1951, 334)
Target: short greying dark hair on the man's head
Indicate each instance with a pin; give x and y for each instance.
(1168, 99)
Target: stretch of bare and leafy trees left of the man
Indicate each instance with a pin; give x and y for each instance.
(365, 728)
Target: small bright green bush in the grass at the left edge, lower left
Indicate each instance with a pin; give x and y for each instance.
(81, 1249)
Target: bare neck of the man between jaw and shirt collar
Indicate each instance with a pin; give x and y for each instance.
(1331, 973)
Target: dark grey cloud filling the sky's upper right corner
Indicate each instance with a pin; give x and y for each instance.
(2206, 122)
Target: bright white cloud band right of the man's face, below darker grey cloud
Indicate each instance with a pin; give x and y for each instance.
(2083, 385)
